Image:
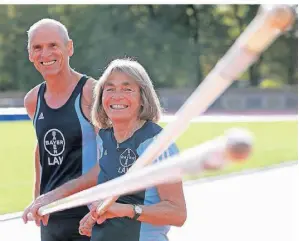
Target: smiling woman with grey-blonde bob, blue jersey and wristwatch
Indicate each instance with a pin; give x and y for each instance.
(126, 110)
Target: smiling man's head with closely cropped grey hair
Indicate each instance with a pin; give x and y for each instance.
(49, 47)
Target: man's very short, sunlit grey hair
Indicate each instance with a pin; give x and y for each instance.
(48, 21)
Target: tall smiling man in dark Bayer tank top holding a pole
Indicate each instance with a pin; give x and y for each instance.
(66, 144)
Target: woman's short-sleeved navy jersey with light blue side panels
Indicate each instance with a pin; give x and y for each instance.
(115, 161)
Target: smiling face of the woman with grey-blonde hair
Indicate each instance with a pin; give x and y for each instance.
(121, 97)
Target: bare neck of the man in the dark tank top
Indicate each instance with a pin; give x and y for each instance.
(59, 83)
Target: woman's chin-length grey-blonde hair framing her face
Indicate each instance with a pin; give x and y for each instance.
(150, 108)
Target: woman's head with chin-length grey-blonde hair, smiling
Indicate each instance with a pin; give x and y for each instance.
(124, 92)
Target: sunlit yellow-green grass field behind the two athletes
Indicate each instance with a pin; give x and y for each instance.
(276, 142)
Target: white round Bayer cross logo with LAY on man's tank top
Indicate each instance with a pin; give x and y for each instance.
(54, 144)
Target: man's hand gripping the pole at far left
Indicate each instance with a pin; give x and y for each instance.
(32, 211)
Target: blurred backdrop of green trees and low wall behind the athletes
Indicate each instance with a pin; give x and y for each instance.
(178, 45)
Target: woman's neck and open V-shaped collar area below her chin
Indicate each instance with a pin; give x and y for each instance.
(124, 130)
